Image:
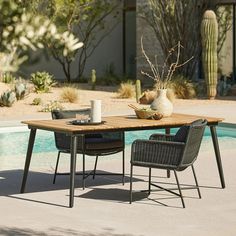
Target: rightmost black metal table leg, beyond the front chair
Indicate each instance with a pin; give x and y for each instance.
(217, 154)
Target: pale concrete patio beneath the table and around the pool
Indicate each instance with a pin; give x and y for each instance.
(102, 208)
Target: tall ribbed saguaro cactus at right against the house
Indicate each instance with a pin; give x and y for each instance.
(209, 33)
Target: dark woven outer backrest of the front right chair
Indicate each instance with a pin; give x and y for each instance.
(194, 135)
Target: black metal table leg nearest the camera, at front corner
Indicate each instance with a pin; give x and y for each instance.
(73, 150)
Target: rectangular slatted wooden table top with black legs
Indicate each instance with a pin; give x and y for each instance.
(118, 123)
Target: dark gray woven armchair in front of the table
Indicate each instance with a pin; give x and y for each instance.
(170, 152)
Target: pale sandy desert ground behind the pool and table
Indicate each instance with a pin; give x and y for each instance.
(111, 105)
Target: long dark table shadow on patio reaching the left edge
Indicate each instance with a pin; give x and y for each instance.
(10, 181)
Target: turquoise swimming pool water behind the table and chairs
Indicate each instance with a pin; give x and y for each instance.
(15, 143)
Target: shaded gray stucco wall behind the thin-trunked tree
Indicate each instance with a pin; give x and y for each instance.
(109, 51)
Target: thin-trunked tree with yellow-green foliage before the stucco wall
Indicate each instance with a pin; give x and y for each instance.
(87, 19)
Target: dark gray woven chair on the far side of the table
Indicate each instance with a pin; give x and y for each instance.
(95, 144)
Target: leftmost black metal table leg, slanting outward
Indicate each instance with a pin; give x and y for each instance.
(28, 158)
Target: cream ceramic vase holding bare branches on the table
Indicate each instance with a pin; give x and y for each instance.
(162, 104)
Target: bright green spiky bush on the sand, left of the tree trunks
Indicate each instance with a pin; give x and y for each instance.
(42, 81)
